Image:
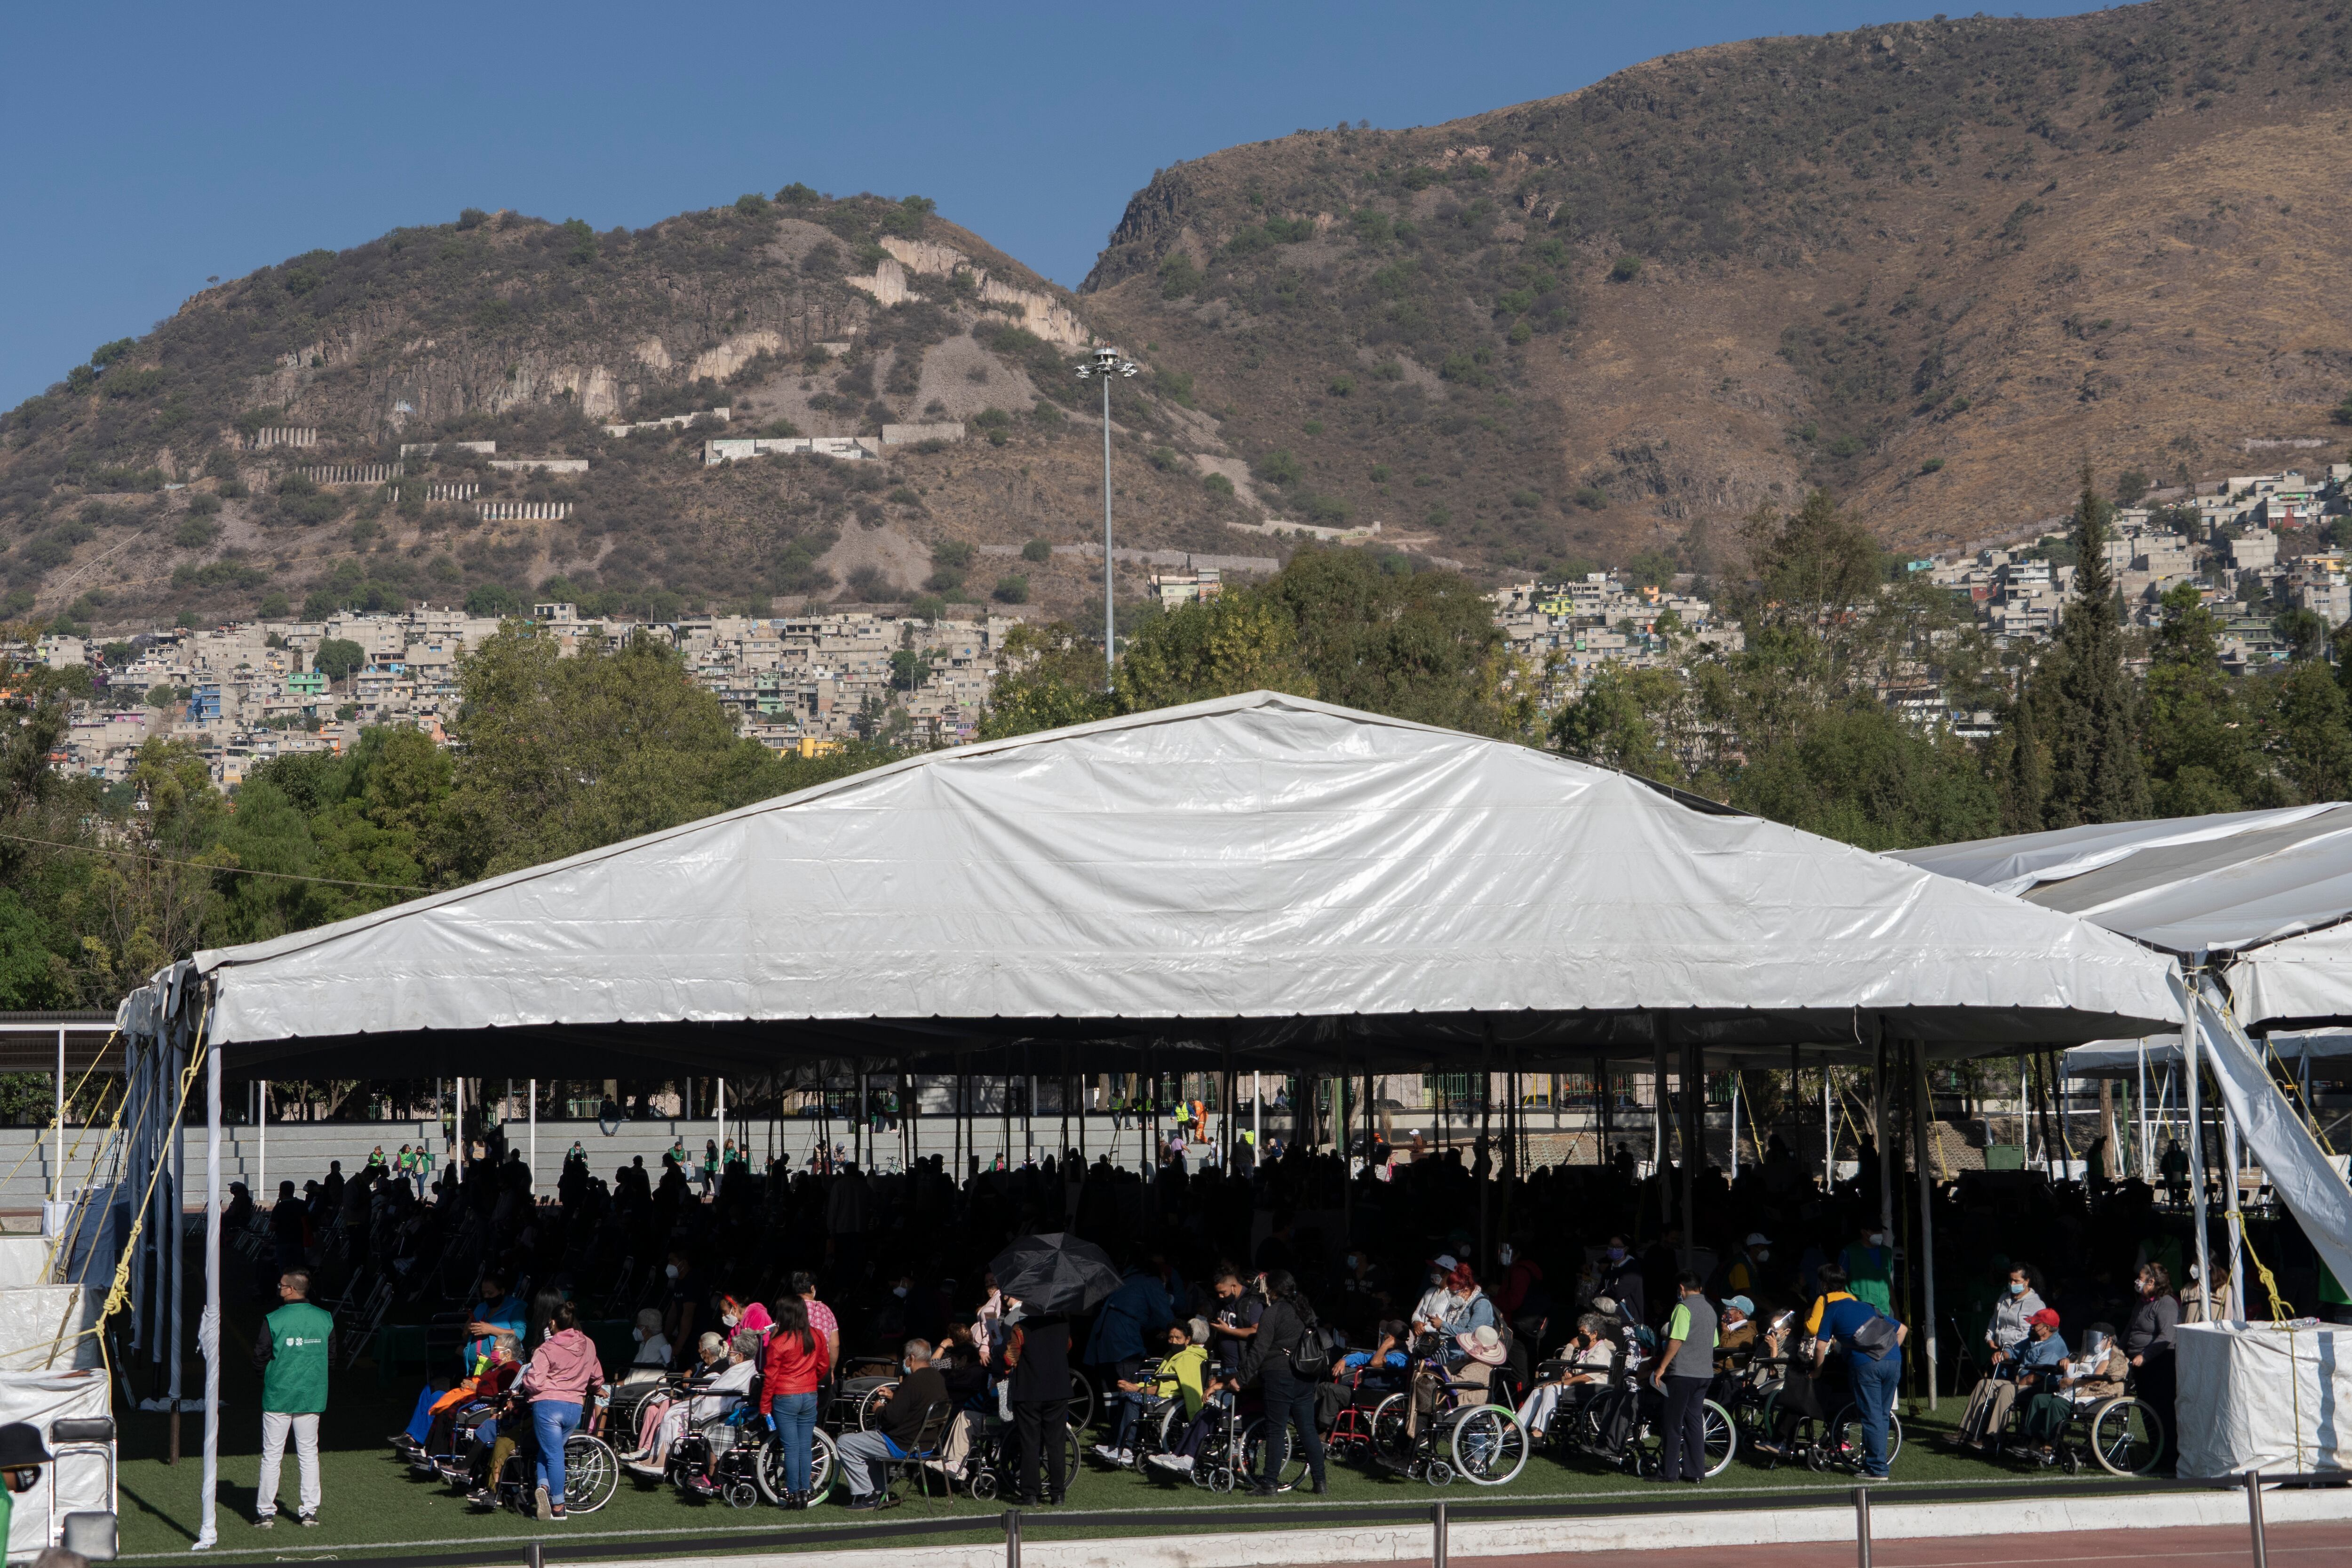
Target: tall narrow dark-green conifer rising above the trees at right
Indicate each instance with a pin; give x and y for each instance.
(2087, 706)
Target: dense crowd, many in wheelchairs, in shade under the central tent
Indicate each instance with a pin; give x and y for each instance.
(749, 1292)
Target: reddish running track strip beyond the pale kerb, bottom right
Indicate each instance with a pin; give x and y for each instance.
(2299, 1546)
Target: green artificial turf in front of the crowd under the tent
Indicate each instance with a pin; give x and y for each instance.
(375, 1506)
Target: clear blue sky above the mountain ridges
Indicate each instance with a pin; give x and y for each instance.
(154, 147)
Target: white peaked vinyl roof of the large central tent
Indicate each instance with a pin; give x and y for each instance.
(1264, 876)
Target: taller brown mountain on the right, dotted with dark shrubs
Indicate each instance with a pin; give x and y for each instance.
(1932, 267)
